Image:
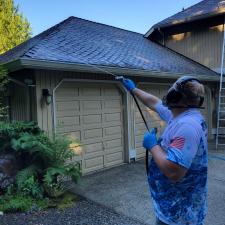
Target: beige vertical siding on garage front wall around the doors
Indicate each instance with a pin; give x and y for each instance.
(50, 79)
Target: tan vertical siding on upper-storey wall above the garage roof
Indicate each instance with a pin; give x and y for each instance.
(202, 45)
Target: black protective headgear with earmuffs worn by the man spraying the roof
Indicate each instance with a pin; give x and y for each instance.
(178, 92)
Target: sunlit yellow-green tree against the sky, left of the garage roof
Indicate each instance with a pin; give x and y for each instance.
(14, 27)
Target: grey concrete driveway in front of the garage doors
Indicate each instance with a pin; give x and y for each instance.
(124, 189)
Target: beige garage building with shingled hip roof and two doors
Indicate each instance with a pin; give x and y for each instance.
(75, 63)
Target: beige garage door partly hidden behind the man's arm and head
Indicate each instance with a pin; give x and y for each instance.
(152, 118)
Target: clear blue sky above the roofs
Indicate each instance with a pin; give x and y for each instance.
(133, 15)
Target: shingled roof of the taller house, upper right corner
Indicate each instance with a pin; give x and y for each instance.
(201, 10)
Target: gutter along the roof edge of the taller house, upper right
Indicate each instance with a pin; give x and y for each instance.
(183, 21)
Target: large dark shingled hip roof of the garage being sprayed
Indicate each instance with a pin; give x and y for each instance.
(77, 41)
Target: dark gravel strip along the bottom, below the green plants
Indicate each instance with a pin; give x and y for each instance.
(83, 212)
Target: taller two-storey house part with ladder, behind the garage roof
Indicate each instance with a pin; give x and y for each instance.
(197, 33)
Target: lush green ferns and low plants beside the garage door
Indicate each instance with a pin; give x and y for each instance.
(41, 164)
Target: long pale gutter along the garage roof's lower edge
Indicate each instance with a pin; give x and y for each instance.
(65, 66)
